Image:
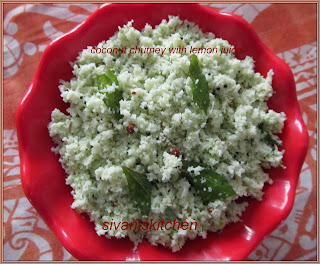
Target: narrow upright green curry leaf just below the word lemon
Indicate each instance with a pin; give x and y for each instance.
(200, 89)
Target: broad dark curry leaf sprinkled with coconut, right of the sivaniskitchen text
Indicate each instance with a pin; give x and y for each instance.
(209, 185)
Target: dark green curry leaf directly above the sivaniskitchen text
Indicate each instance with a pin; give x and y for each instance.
(140, 189)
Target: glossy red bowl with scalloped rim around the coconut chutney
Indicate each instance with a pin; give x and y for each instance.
(43, 178)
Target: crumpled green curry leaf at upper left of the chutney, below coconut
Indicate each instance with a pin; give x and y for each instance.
(112, 99)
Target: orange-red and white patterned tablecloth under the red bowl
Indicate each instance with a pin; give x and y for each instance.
(288, 29)
